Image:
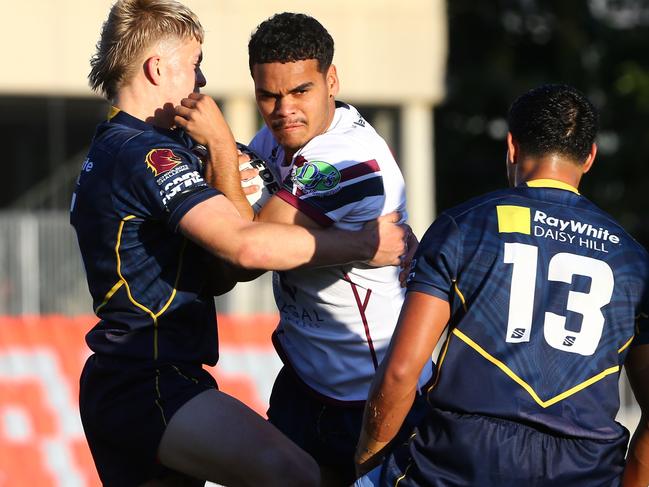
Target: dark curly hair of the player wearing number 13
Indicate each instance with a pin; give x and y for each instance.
(554, 118)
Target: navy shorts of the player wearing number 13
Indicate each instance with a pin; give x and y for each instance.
(466, 450)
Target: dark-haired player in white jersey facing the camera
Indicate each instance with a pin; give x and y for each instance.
(335, 322)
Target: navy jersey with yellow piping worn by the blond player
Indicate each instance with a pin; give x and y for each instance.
(148, 282)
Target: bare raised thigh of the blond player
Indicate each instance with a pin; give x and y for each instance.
(216, 437)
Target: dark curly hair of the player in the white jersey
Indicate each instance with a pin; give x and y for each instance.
(290, 37)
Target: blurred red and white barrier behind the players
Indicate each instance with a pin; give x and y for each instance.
(41, 357)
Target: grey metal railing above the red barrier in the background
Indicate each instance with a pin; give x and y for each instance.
(41, 271)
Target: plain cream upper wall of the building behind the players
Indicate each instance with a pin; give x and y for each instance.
(385, 53)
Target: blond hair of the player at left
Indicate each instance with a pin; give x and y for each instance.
(131, 28)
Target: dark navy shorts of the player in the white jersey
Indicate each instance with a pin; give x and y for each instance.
(327, 430)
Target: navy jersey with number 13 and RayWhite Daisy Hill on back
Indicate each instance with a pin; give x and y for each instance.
(547, 294)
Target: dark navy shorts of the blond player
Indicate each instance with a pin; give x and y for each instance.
(125, 406)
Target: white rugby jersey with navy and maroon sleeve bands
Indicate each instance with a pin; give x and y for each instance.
(336, 322)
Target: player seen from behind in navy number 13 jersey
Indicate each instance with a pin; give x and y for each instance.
(544, 296)
